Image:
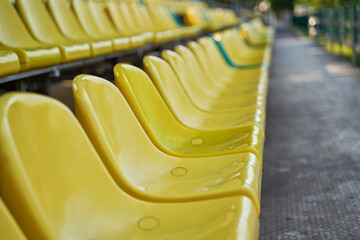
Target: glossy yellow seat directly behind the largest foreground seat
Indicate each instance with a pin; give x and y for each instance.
(150, 174)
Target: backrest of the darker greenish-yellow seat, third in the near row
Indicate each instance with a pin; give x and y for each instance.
(148, 106)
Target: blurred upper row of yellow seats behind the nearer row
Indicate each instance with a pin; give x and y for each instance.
(38, 33)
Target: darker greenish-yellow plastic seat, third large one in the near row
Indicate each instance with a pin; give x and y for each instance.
(168, 134)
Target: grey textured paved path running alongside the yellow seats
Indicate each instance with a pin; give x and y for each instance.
(311, 180)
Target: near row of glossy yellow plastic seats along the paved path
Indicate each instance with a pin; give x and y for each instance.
(171, 152)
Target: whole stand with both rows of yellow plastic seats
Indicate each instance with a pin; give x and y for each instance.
(172, 150)
